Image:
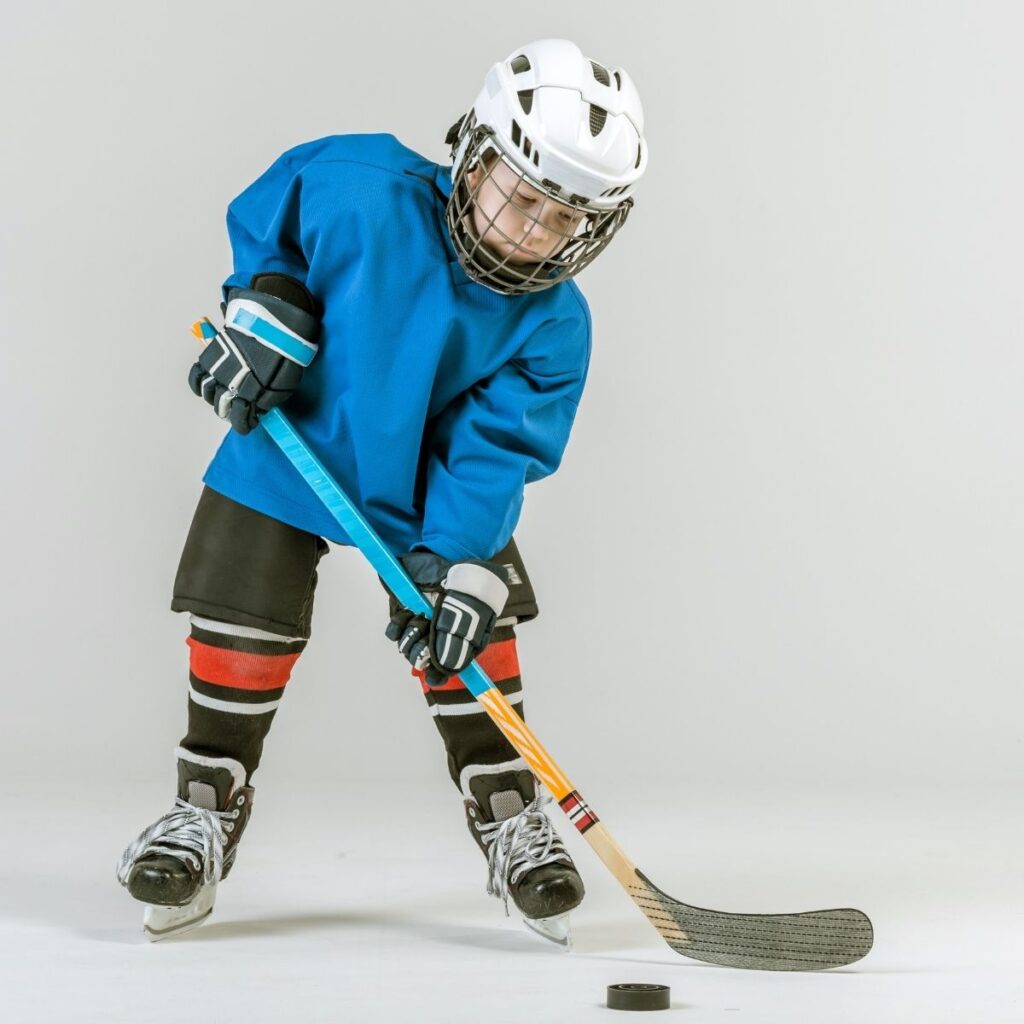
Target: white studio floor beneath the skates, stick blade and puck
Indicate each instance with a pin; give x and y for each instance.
(343, 910)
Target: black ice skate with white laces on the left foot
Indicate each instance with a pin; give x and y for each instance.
(176, 865)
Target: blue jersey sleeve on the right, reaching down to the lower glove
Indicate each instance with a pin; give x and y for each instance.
(500, 436)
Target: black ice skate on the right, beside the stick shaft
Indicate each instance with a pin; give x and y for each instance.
(526, 858)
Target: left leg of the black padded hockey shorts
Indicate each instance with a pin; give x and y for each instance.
(242, 567)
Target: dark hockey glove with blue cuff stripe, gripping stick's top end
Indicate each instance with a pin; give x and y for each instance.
(257, 362)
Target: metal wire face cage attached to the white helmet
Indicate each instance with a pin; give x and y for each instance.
(516, 235)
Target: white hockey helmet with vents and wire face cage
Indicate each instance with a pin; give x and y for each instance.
(573, 131)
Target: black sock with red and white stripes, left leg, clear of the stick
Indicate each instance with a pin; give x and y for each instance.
(237, 677)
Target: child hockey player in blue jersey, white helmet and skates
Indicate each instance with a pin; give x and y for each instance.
(451, 350)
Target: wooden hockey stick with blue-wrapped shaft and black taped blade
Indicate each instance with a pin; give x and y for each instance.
(814, 941)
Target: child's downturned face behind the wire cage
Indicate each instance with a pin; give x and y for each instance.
(516, 221)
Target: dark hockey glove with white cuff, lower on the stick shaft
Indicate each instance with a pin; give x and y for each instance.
(467, 599)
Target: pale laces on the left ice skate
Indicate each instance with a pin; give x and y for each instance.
(192, 834)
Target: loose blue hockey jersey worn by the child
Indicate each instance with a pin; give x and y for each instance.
(434, 401)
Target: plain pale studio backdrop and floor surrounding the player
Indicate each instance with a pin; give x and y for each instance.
(781, 570)
